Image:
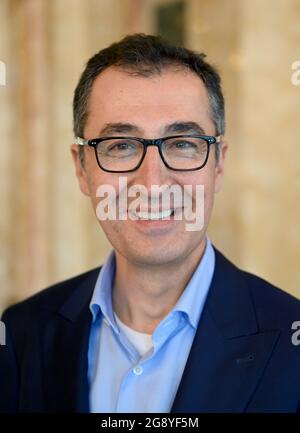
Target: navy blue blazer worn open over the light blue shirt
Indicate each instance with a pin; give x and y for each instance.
(242, 358)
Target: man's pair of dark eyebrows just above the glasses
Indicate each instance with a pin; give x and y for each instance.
(172, 128)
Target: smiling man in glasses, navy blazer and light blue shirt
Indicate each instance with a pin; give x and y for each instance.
(168, 324)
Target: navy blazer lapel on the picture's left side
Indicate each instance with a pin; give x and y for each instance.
(65, 337)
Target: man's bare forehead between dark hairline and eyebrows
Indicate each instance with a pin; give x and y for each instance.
(150, 102)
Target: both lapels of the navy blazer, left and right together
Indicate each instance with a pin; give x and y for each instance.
(226, 361)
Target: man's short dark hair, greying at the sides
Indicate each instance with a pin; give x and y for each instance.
(146, 55)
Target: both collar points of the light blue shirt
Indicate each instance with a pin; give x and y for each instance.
(191, 301)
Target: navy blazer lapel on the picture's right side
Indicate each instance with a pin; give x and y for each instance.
(229, 354)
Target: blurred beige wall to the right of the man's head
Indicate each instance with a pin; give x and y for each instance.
(256, 219)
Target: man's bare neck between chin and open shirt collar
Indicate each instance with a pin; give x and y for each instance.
(143, 295)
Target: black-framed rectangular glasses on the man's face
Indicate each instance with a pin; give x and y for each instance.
(126, 154)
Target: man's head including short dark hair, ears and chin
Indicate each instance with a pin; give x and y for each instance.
(145, 87)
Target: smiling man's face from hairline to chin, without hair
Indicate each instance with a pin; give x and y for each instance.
(150, 105)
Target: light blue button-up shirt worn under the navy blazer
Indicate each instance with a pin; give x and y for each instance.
(120, 379)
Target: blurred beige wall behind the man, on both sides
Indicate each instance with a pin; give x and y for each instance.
(48, 231)
